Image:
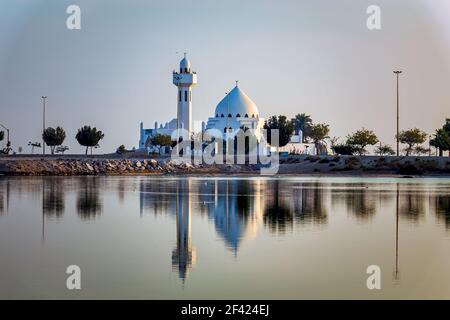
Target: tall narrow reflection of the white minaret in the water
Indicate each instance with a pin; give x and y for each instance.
(184, 255)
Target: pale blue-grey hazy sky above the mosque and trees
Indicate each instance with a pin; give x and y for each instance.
(312, 56)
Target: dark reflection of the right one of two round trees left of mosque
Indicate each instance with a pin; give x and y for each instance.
(89, 205)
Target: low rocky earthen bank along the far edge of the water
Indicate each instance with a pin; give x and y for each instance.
(81, 165)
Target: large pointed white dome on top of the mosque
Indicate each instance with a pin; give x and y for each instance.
(238, 104)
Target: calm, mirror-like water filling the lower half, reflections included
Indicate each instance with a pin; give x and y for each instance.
(175, 238)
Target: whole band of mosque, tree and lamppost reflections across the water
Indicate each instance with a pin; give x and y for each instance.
(241, 208)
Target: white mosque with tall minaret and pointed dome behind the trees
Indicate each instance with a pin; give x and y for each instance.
(235, 111)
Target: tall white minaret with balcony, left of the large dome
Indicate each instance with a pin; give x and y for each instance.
(185, 80)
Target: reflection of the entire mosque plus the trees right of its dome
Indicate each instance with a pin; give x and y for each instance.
(237, 207)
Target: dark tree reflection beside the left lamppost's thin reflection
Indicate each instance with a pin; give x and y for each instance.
(53, 197)
